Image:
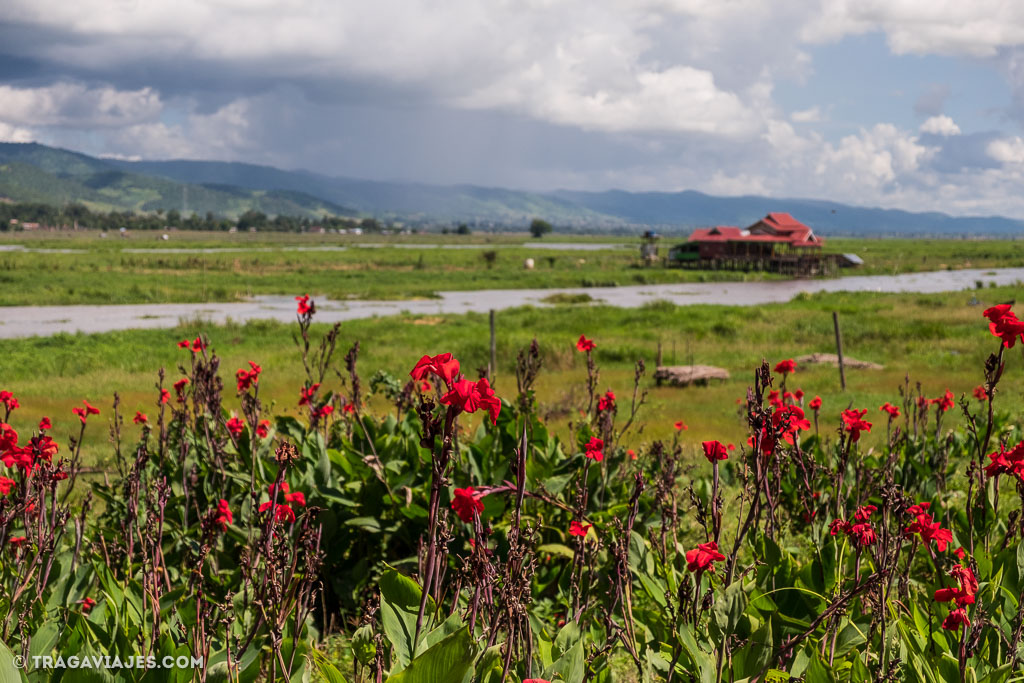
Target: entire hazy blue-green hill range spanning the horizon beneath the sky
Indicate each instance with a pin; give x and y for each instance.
(35, 173)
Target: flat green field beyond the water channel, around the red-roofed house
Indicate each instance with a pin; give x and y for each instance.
(409, 267)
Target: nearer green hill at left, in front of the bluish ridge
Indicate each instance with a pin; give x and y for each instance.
(38, 174)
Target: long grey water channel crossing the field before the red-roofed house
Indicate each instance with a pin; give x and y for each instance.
(45, 321)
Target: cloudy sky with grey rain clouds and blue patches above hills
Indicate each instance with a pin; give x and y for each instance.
(917, 105)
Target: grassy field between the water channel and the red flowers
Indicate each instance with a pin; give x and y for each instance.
(938, 340)
